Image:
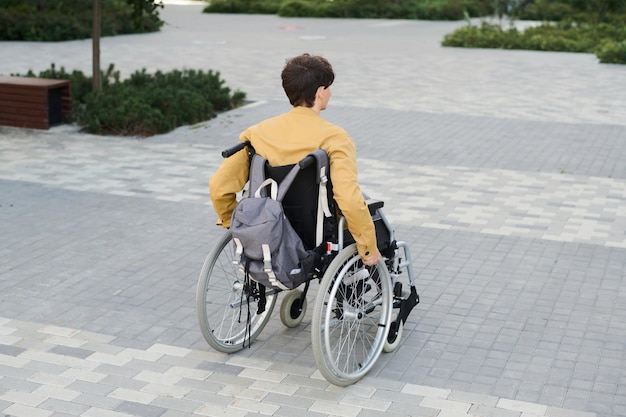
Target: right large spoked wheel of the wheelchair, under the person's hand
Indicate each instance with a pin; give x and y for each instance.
(351, 318)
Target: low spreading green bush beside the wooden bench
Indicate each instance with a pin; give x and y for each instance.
(145, 104)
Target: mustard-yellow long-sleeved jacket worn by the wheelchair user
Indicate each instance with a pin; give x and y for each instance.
(286, 139)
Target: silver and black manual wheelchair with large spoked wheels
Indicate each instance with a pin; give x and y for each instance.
(359, 310)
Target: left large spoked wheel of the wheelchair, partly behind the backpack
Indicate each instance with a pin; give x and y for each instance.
(222, 301)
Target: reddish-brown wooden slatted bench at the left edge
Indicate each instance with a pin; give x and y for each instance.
(35, 103)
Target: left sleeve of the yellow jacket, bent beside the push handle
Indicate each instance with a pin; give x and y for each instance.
(224, 185)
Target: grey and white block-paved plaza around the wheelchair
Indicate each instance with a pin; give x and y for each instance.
(504, 170)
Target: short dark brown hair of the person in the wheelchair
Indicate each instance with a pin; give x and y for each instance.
(303, 75)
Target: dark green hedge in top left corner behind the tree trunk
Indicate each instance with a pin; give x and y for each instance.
(33, 20)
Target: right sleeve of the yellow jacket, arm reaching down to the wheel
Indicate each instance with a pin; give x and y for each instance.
(348, 195)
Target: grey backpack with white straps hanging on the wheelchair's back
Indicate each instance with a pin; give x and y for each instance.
(266, 245)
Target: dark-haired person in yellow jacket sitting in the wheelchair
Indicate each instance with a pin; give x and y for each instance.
(286, 139)
